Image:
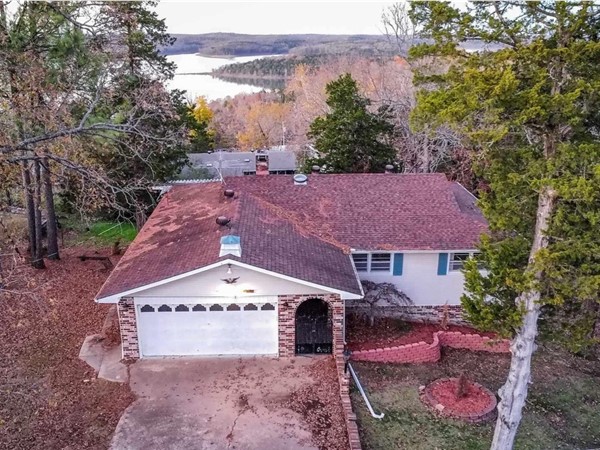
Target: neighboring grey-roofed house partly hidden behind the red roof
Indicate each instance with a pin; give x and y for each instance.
(231, 163)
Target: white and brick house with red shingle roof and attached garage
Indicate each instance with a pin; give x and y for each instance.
(267, 265)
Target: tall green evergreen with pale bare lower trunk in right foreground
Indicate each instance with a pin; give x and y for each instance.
(531, 109)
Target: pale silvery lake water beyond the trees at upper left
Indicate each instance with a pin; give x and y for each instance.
(211, 88)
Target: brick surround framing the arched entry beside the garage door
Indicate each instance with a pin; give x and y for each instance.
(287, 305)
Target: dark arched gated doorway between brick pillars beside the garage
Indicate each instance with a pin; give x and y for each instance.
(314, 330)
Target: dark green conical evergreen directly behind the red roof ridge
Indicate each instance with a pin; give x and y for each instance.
(351, 138)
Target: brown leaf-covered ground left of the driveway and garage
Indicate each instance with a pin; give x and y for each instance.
(48, 397)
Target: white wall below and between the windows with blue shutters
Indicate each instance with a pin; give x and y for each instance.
(420, 281)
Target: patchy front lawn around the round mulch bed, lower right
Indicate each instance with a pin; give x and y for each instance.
(563, 407)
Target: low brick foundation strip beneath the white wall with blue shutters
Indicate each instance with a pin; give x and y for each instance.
(413, 313)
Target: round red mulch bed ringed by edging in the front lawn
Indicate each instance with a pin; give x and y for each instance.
(476, 400)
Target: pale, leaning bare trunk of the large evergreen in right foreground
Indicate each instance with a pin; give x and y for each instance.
(514, 391)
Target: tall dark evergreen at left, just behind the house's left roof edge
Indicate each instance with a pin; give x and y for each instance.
(139, 83)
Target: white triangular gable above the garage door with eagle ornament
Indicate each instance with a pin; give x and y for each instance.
(210, 283)
